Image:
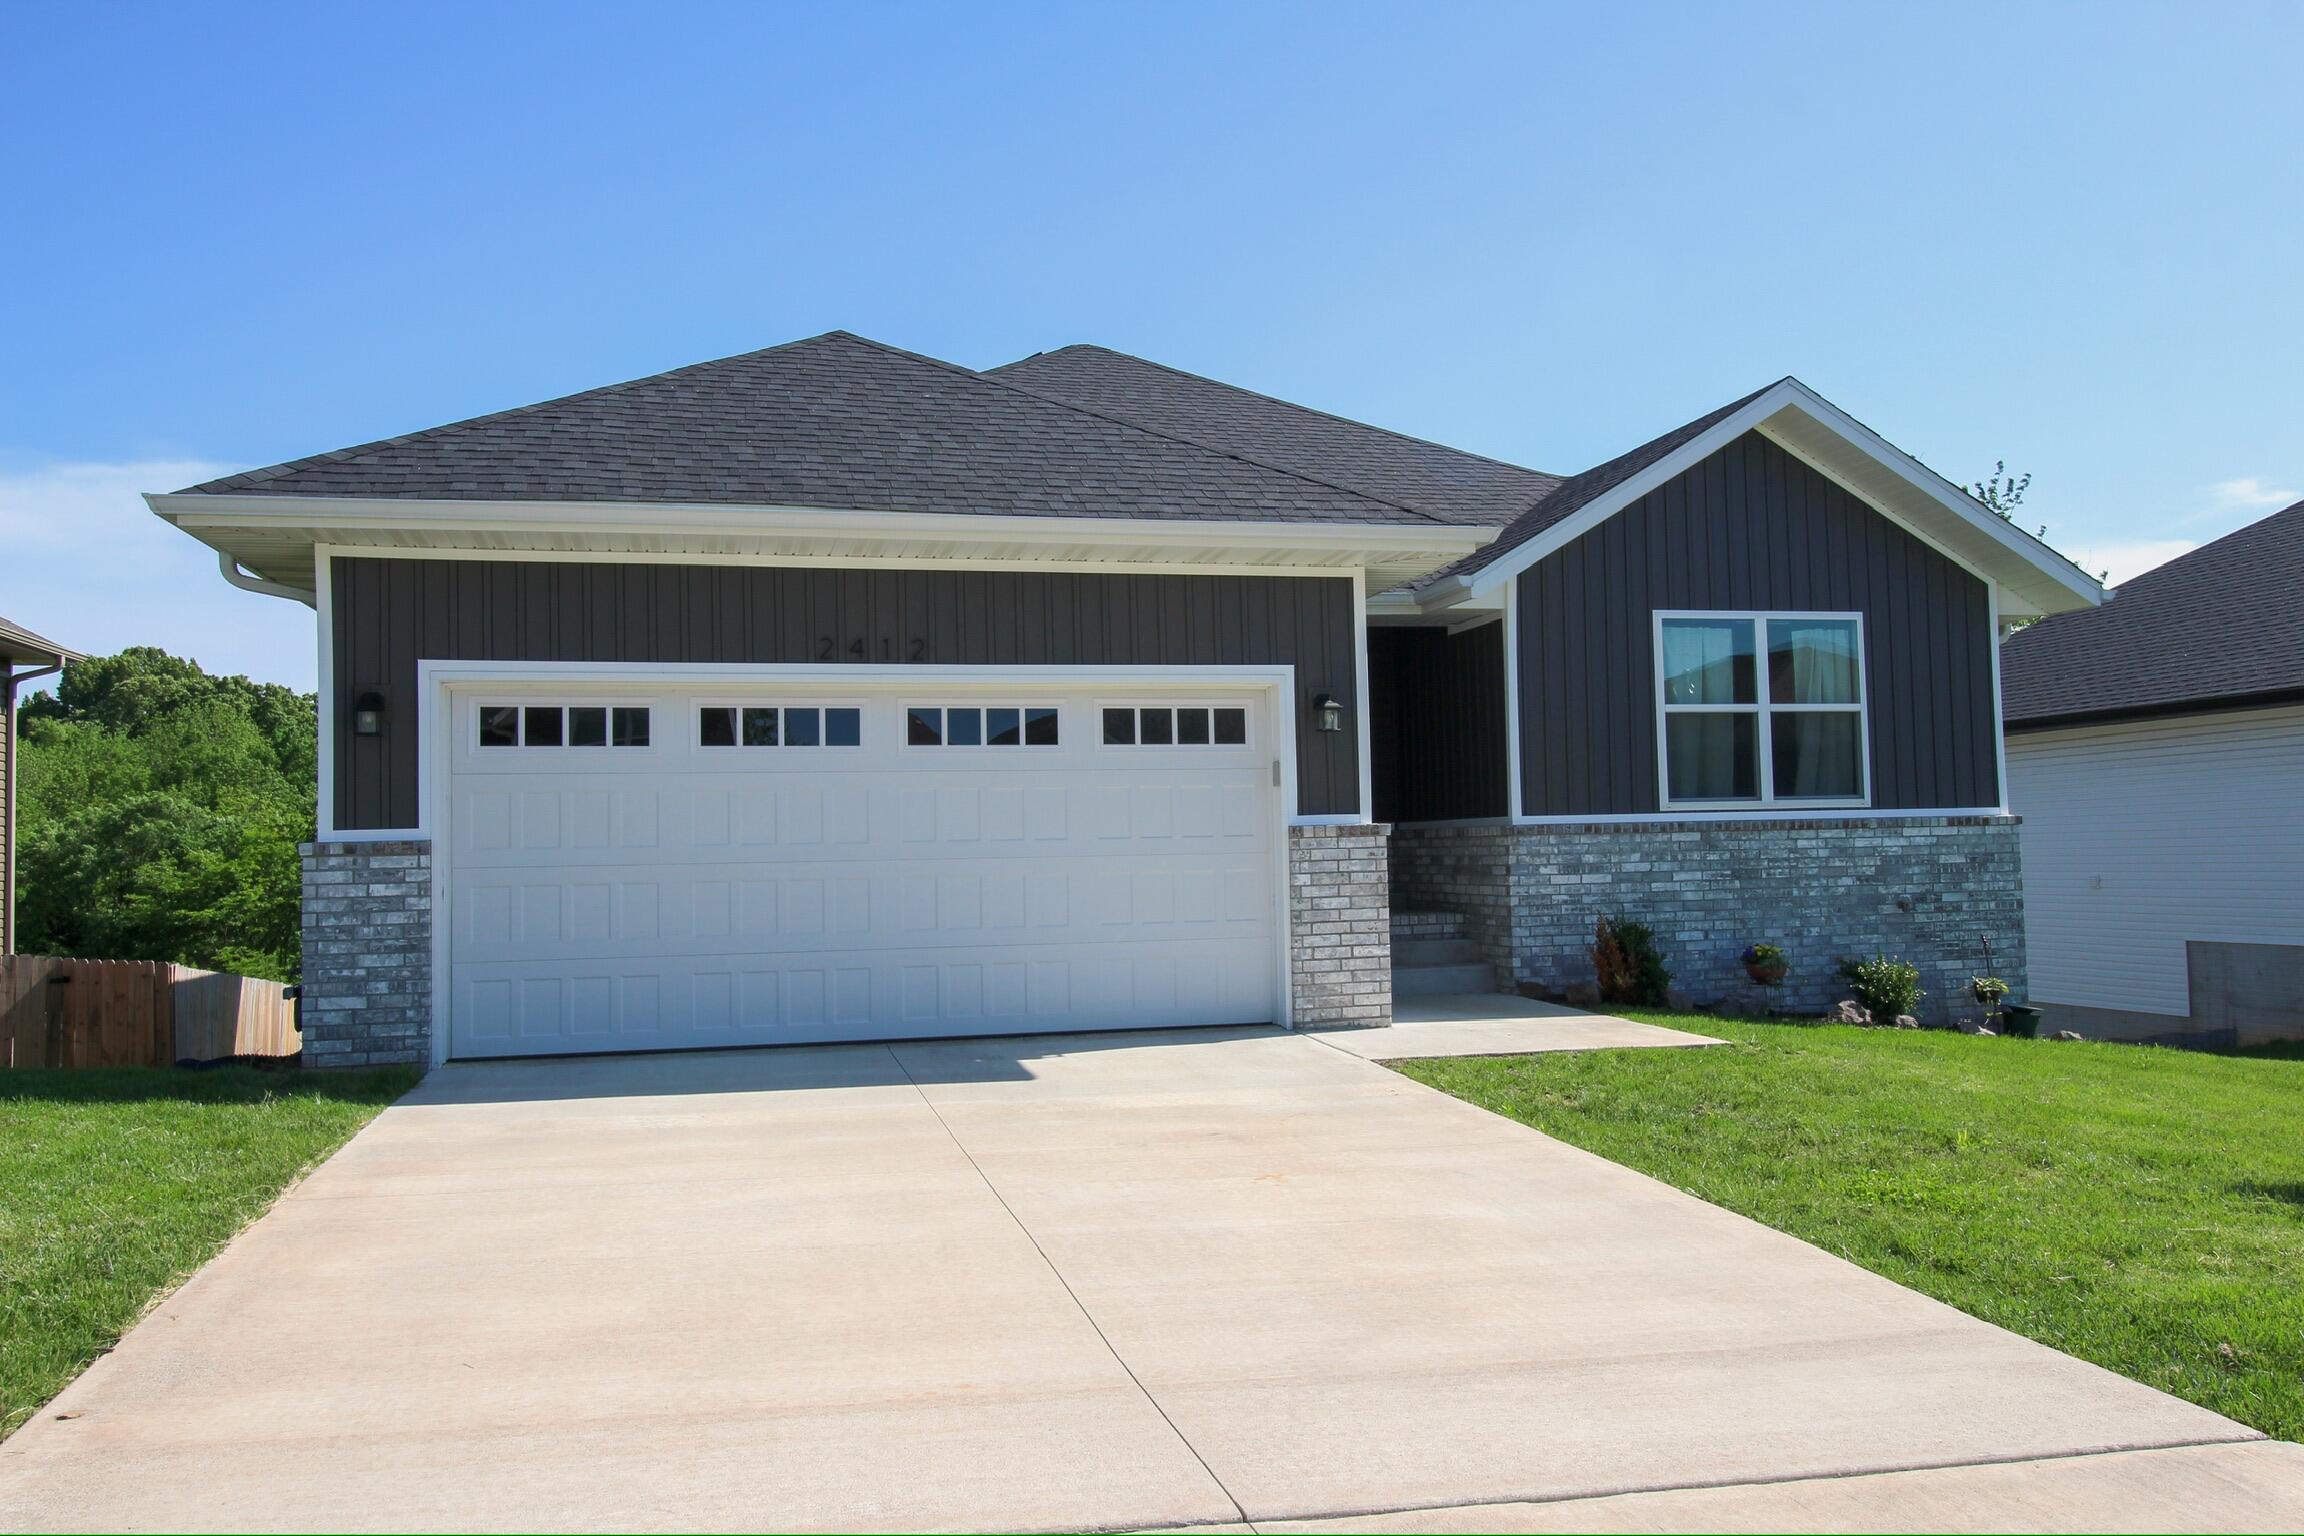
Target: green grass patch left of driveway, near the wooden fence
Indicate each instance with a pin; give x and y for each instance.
(116, 1185)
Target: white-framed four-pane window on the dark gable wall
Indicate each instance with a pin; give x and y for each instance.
(1761, 710)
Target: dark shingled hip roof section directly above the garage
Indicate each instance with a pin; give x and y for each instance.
(828, 423)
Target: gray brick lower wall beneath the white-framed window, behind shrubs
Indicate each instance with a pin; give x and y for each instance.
(1925, 888)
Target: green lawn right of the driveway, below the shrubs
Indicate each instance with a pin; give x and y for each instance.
(2130, 1206)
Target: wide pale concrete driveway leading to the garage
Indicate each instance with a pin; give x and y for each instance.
(1068, 1284)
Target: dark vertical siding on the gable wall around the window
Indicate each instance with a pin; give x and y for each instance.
(1750, 529)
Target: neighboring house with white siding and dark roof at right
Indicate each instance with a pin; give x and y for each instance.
(2158, 759)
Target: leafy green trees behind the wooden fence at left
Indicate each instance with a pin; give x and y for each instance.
(160, 816)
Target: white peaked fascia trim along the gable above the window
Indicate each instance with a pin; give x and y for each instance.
(2008, 554)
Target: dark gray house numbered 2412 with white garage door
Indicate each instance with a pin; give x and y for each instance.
(835, 692)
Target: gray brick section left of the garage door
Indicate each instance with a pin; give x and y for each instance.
(367, 955)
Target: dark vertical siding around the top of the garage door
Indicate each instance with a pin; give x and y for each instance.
(391, 614)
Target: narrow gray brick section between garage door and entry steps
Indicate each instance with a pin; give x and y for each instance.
(1340, 908)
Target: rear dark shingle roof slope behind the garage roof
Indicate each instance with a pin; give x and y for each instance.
(1432, 478)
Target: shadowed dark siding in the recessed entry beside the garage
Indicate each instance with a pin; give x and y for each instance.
(1437, 713)
